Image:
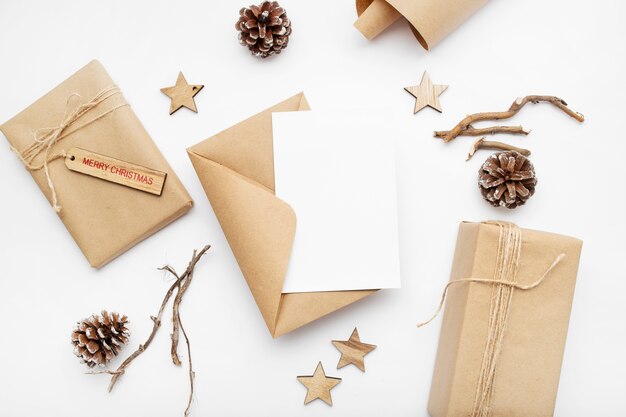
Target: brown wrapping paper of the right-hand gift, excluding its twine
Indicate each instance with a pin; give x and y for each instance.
(529, 366)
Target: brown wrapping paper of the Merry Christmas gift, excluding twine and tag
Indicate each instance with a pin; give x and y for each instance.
(105, 219)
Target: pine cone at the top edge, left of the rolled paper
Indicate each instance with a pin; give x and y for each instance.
(264, 29)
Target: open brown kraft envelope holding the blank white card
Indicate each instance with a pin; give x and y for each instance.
(236, 169)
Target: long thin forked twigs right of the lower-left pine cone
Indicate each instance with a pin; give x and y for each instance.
(181, 284)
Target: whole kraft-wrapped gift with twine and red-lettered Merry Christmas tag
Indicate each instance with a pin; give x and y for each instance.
(96, 164)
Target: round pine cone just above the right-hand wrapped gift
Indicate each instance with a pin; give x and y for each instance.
(507, 179)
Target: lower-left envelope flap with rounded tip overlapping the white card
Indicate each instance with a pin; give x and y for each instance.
(259, 227)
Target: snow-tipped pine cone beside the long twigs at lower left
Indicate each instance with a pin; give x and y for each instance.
(98, 339)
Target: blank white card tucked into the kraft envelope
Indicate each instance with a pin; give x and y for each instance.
(337, 171)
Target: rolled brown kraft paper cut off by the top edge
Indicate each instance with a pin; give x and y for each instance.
(430, 20)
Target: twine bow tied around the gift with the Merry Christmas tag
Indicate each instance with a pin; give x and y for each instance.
(45, 138)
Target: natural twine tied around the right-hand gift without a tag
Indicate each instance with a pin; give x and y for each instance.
(503, 285)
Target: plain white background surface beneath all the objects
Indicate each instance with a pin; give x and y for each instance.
(510, 48)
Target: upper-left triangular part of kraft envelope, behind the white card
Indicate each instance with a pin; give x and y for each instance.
(247, 147)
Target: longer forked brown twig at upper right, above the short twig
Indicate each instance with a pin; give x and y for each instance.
(465, 128)
